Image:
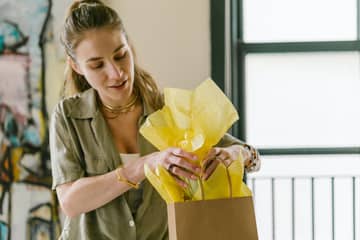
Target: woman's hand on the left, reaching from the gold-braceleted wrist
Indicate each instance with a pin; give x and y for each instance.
(179, 163)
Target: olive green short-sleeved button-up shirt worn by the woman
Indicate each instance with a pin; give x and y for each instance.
(81, 146)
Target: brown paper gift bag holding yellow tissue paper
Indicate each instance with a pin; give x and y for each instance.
(219, 219)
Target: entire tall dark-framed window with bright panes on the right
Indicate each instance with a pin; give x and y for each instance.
(292, 68)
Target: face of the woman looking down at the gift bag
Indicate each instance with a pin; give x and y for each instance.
(105, 59)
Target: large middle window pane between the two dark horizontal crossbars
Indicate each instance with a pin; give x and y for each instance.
(302, 100)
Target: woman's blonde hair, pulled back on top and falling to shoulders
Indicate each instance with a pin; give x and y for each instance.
(86, 15)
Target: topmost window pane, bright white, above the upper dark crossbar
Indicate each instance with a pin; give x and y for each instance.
(299, 20)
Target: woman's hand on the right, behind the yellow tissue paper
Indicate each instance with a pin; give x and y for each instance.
(216, 155)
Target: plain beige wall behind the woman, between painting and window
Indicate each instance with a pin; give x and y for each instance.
(171, 38)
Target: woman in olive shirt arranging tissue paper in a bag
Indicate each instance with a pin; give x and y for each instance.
(96, 130)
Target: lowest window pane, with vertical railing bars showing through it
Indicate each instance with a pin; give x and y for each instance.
(303, 168)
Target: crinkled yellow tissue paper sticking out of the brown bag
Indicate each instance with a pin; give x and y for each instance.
(194, 121)
